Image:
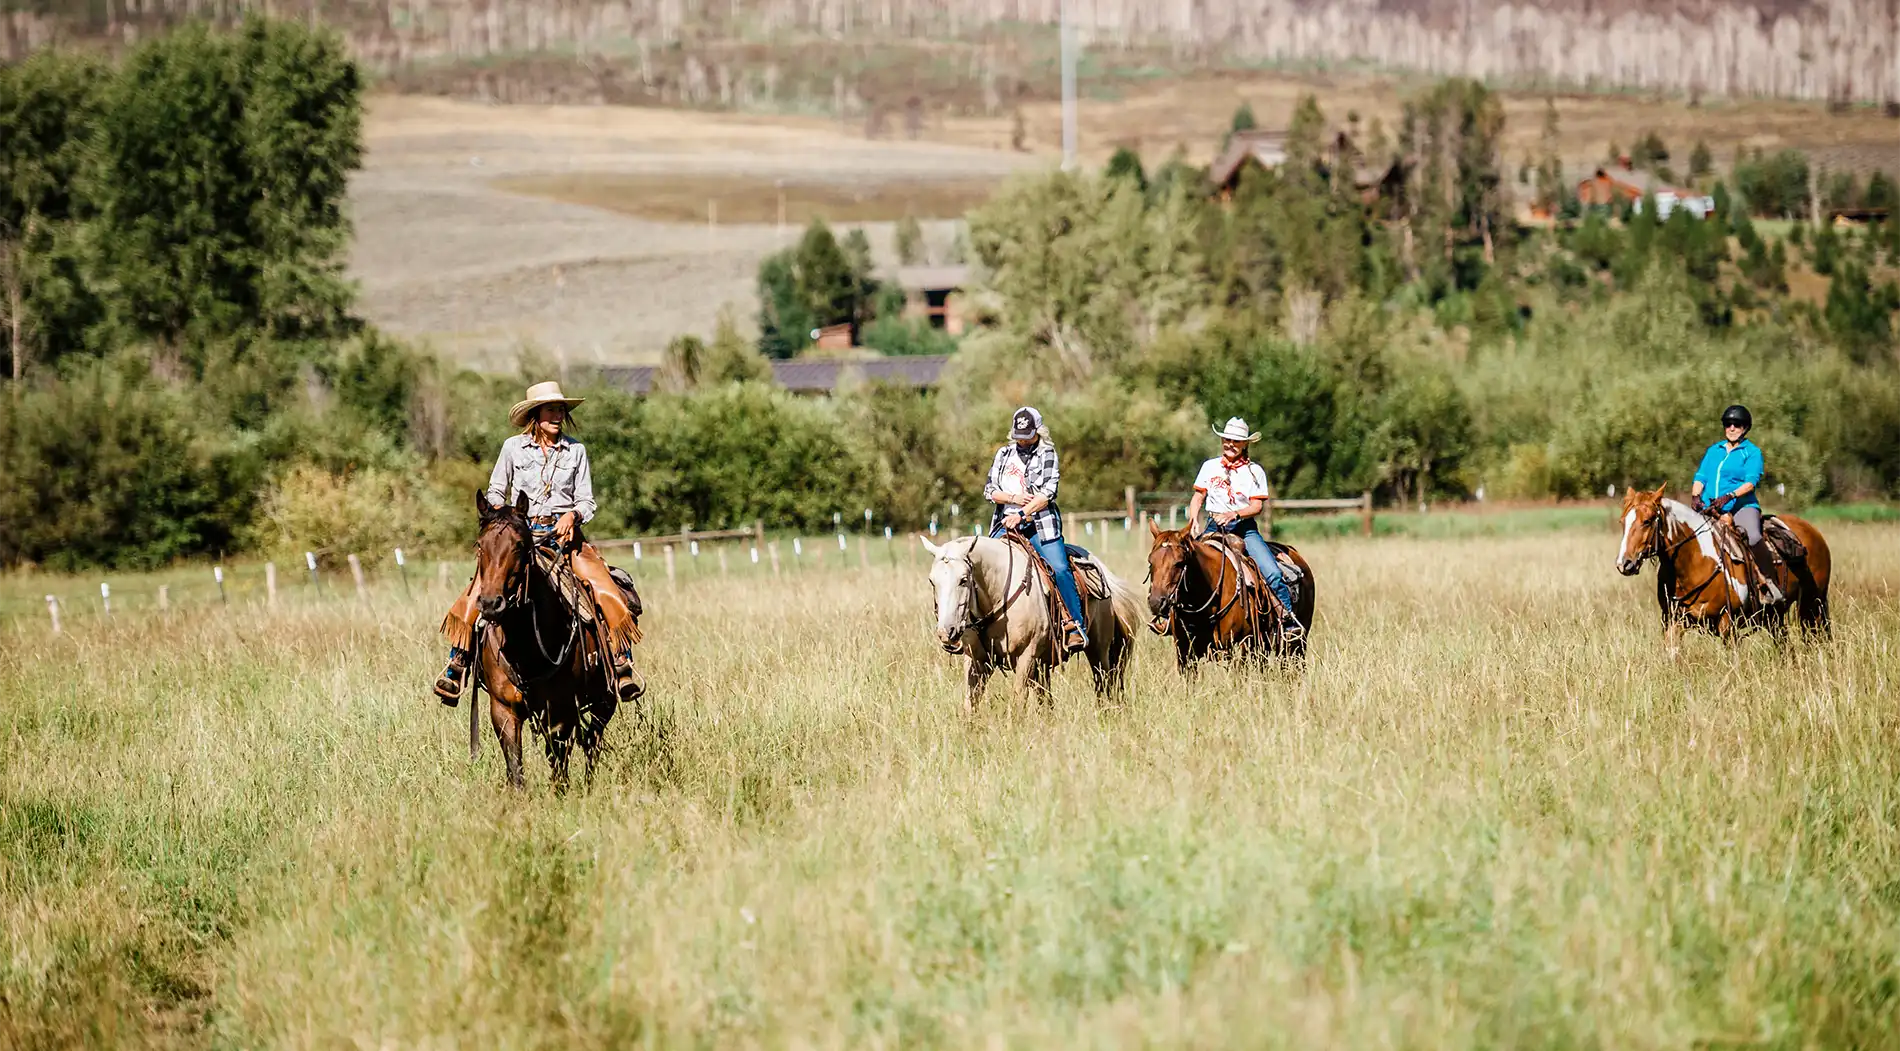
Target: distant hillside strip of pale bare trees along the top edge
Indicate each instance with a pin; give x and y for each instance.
(1840, 50)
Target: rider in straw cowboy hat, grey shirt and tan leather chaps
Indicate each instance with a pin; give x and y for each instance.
(552, 470)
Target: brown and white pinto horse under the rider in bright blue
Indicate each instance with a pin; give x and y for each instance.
(1700, 586)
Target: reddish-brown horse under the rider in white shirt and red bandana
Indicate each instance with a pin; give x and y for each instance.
(1200, 600)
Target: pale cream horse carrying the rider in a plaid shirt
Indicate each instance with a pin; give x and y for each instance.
(993, 605)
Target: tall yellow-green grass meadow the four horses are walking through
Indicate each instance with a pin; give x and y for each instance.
(1491, 812)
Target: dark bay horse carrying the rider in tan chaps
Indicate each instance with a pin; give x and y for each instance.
(541, 664)
